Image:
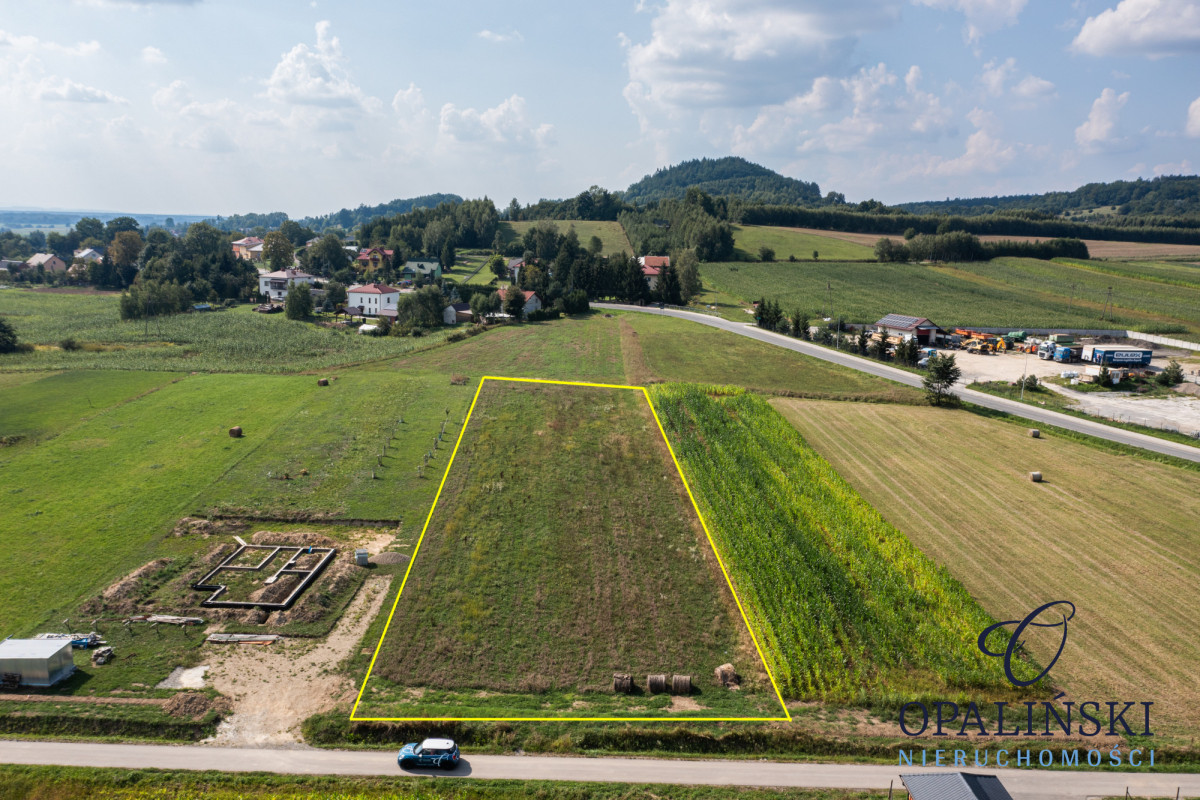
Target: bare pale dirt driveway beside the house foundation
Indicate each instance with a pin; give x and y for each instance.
(275, 688)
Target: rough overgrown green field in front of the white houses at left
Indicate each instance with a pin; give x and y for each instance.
(225, 341)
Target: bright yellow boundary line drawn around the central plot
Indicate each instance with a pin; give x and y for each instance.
(646, 394)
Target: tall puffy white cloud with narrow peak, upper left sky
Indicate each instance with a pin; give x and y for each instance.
(316, 77)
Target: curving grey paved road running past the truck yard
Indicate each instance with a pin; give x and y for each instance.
(884, 371)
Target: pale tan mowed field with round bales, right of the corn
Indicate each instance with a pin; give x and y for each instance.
(1114, 536)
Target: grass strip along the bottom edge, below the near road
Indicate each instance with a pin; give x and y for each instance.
(85, 784)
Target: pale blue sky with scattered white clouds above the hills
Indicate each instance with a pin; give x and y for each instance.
(218, 107)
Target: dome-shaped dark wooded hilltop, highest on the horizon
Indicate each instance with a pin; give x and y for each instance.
(724, 177)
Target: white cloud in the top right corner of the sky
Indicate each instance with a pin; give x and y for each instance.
(1151, 28)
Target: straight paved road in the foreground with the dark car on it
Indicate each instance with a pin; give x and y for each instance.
(1023, 785)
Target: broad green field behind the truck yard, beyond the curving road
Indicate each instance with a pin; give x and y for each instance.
(1007, 292)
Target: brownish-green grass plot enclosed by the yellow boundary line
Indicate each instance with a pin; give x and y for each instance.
(563, 550)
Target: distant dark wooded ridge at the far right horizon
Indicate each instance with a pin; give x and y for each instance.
(1171, 196)
